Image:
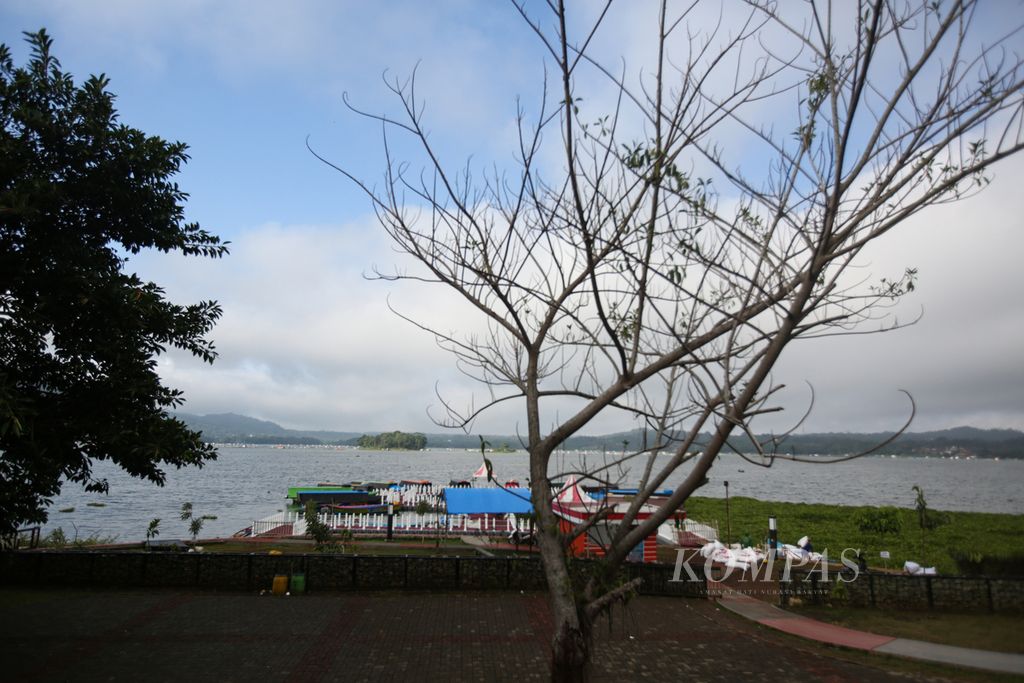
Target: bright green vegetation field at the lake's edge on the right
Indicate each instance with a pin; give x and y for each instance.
(834, 529)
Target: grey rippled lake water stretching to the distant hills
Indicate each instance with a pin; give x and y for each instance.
(248, 484)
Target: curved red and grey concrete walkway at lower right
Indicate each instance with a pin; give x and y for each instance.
(778, 619)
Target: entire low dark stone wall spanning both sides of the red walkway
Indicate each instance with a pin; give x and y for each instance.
(254, 572)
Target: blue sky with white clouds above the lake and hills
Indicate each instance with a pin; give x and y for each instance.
(309, 343)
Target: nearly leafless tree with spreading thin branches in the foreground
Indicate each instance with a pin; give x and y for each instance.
(653, 273)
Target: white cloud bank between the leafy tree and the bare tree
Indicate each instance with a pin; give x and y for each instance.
(305, 337)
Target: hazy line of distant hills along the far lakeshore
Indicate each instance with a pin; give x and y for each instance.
(964, 442)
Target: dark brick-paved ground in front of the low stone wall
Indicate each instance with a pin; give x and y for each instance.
(55, 635)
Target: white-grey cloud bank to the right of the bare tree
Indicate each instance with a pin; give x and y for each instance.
(964, 362)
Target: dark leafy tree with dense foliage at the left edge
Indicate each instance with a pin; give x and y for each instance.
(80, 194)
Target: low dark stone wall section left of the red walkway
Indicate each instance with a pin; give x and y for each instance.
(252, 572)
